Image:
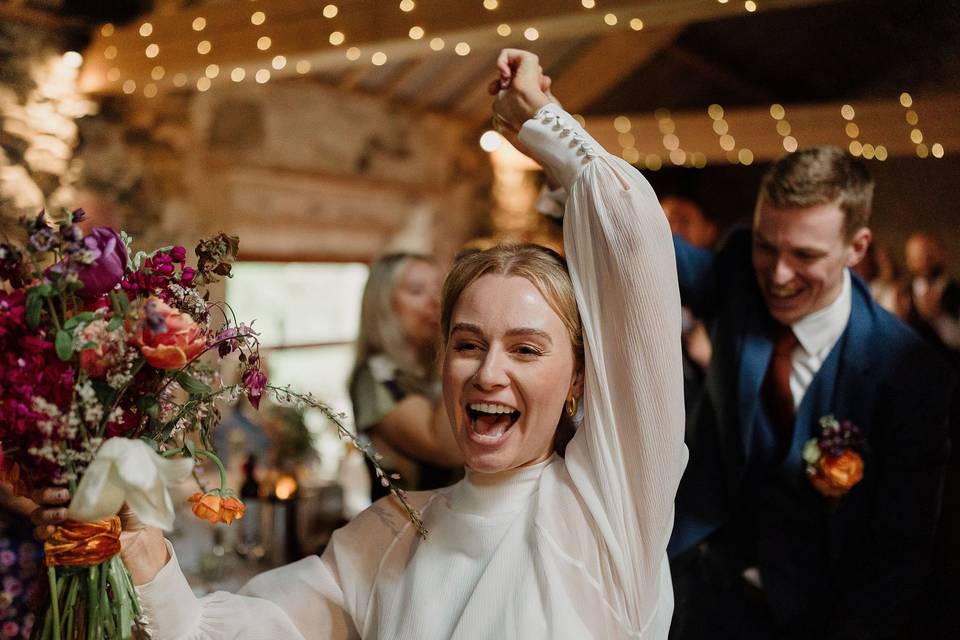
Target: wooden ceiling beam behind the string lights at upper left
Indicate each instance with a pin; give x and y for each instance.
(299, 31)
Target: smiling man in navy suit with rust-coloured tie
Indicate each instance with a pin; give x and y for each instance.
(758, 551)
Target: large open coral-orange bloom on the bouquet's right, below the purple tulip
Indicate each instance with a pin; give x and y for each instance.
(168, 338)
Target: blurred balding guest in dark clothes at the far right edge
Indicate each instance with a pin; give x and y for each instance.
(935, 296)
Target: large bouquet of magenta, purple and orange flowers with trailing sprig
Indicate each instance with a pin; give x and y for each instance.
(109, 381)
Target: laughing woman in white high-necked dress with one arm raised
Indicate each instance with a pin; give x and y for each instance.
(528, 545)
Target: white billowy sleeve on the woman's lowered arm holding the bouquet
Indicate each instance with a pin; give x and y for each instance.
(301, 601)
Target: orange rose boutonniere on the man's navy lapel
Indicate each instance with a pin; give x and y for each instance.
(834, 464)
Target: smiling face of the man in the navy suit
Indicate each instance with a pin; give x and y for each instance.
(799, 255)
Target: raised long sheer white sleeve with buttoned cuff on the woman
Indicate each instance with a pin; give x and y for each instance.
(627, 458)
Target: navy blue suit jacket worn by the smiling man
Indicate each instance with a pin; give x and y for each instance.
(876, 541)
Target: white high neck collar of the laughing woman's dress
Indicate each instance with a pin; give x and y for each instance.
(492, 494)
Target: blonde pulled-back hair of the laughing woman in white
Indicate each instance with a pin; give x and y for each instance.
(542, 267)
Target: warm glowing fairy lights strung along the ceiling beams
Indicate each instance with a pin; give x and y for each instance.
(673, 153)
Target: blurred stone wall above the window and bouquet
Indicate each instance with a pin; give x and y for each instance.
(298, 169)
